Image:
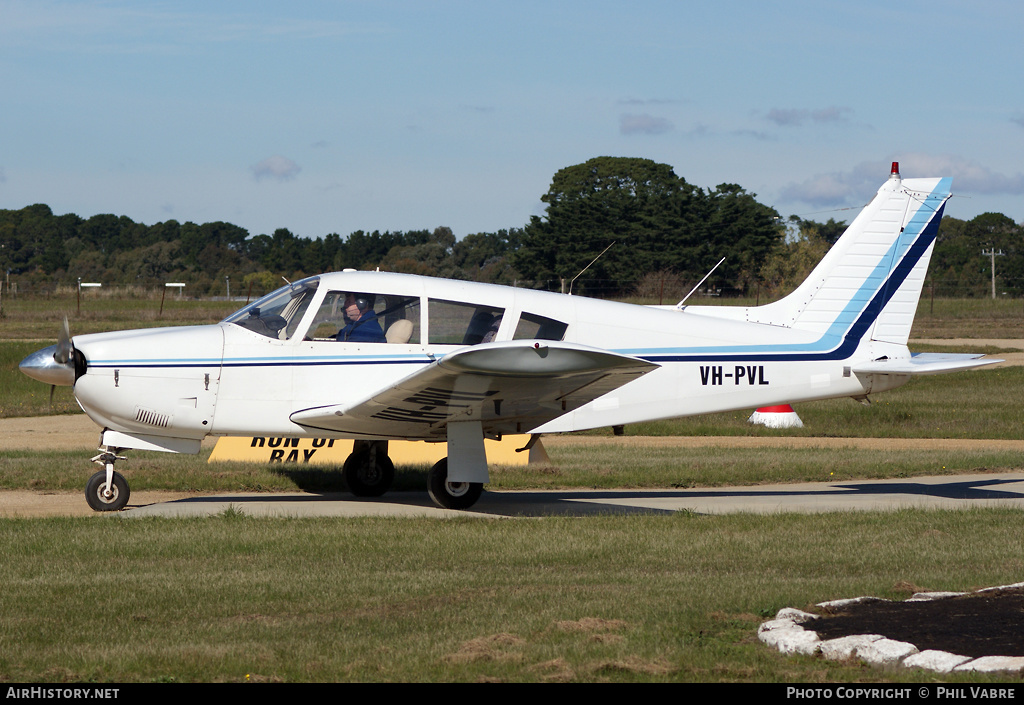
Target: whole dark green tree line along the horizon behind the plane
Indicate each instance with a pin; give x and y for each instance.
(632, 227)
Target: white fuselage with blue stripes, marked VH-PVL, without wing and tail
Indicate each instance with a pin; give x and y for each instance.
(227, 380)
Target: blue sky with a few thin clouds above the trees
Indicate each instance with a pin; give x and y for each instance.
(336, 116)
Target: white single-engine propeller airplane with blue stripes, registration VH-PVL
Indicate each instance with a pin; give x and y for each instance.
(374, 357)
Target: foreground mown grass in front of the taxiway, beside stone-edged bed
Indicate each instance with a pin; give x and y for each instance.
(626, 599)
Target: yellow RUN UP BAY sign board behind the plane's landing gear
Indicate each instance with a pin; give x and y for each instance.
(334, 451)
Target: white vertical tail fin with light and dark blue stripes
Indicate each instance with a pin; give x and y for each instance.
(870, 282)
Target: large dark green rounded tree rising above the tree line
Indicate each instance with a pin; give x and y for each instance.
(656, 221)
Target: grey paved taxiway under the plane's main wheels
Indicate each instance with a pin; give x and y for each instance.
(949, 492)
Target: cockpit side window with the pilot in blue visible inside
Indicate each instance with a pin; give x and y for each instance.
(367, 317)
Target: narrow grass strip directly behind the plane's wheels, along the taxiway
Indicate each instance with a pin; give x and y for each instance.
(574, 467)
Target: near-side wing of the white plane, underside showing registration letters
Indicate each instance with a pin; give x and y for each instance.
(511, 388)
